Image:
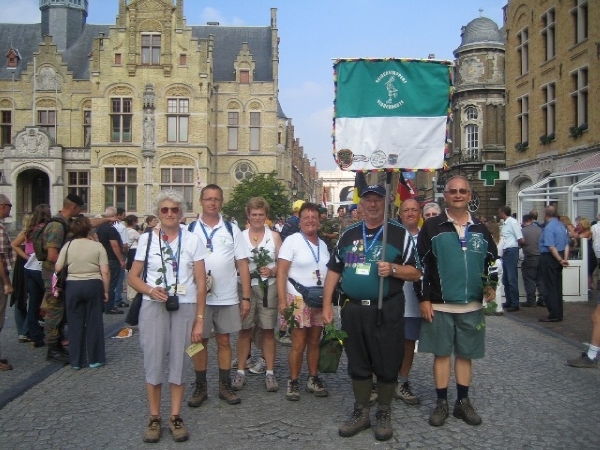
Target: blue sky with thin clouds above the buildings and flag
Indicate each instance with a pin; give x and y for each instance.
(313, 32)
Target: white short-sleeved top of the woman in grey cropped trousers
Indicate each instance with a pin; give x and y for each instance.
(191, 250)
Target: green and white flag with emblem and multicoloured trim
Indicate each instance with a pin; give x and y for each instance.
(391, 113)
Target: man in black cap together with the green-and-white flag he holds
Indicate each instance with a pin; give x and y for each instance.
(390, 114)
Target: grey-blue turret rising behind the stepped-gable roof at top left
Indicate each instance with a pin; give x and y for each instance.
(64, 20)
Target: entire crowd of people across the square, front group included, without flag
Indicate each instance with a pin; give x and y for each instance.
(224, 280)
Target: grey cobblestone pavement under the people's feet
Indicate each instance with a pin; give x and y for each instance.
(528, 398)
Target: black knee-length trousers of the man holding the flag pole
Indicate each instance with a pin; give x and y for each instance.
(373, 348)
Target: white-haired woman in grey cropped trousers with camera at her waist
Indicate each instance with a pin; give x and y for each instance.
(172, 311)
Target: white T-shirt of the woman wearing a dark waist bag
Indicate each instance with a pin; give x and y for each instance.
(303, 268)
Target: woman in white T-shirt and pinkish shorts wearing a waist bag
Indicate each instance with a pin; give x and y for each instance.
(303, 257)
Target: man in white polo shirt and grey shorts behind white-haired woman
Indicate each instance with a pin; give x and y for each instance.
(224, 313)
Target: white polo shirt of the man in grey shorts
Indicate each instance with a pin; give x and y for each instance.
(226, 249)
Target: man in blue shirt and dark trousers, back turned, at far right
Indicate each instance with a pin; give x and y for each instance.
(554, 249)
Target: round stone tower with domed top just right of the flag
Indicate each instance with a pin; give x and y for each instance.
(478, 128)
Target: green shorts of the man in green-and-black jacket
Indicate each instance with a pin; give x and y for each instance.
(452, 333)
